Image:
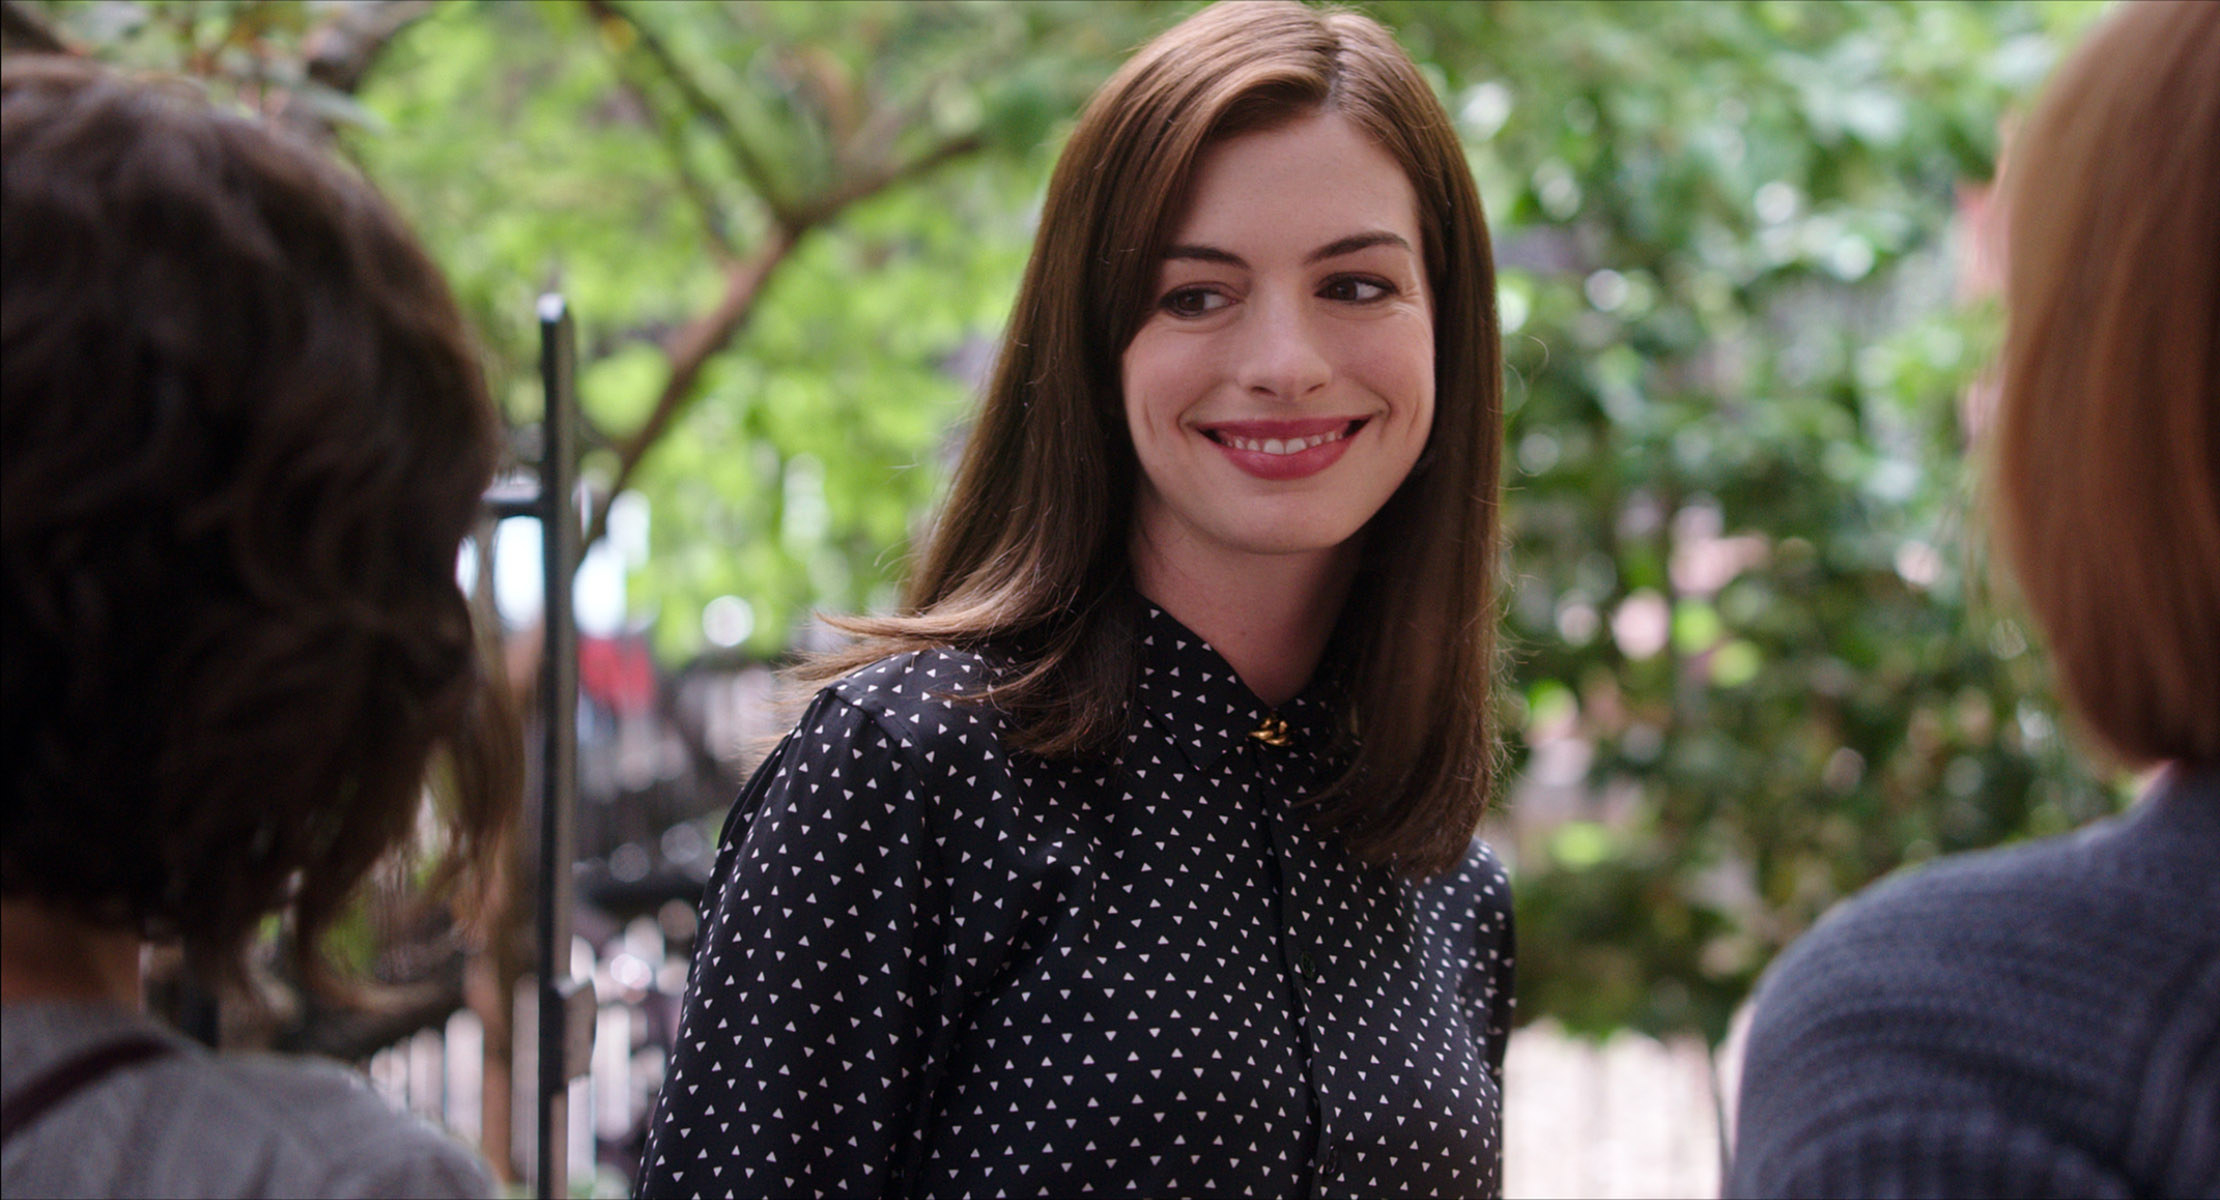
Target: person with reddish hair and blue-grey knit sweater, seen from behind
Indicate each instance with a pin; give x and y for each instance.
(2046, 1019)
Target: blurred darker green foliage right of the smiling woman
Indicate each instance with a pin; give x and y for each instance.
(1753, 655)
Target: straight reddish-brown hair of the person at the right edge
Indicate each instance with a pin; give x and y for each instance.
(2106, 474)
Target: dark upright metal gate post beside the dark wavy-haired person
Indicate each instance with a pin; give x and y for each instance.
(558, 715)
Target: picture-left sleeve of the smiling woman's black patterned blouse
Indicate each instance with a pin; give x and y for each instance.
(816, 997)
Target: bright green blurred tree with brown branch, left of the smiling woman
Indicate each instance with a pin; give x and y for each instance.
(791, 234)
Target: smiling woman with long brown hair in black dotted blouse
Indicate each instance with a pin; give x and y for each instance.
(1138, 853)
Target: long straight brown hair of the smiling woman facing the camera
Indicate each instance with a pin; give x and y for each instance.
(1031, 545)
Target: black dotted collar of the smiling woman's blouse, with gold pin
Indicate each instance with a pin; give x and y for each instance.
(1195, 700)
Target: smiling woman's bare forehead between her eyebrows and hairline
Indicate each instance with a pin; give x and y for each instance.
(1302, 185)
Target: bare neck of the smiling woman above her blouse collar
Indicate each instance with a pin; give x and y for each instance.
(1269, 620)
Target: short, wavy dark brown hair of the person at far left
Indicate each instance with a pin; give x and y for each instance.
(245, 434)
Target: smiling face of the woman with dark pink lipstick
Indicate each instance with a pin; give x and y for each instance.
(1284, 380)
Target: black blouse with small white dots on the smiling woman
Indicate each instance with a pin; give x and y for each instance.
(938, 968)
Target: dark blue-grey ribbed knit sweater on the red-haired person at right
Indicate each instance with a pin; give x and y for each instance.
(2028, 1021)
